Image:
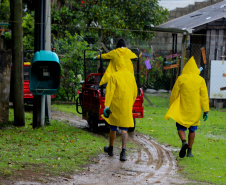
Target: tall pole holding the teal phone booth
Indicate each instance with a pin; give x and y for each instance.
(42, 103)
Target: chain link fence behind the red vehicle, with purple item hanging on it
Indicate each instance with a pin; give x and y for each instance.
(158, 63)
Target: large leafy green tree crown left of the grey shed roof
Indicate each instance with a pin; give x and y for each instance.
(110, 15)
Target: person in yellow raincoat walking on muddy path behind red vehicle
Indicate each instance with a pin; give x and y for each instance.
(121, 93)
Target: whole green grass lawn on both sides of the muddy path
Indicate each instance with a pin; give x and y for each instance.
(60, 149)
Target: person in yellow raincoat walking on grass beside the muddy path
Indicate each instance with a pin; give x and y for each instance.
(189, 97)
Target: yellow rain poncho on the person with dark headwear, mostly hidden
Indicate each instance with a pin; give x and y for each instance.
(115, 56)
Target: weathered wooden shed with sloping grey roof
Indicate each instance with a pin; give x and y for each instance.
(206, 41)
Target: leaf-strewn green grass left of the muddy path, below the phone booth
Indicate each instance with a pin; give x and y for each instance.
(57, 149)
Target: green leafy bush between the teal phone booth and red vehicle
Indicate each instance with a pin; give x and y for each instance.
(70, 49)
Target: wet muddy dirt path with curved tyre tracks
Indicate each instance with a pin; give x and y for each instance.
(152, 163)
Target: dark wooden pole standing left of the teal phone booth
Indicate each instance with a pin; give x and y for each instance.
(17, 59)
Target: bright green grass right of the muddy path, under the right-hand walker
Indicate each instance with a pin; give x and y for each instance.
(209, 149)
